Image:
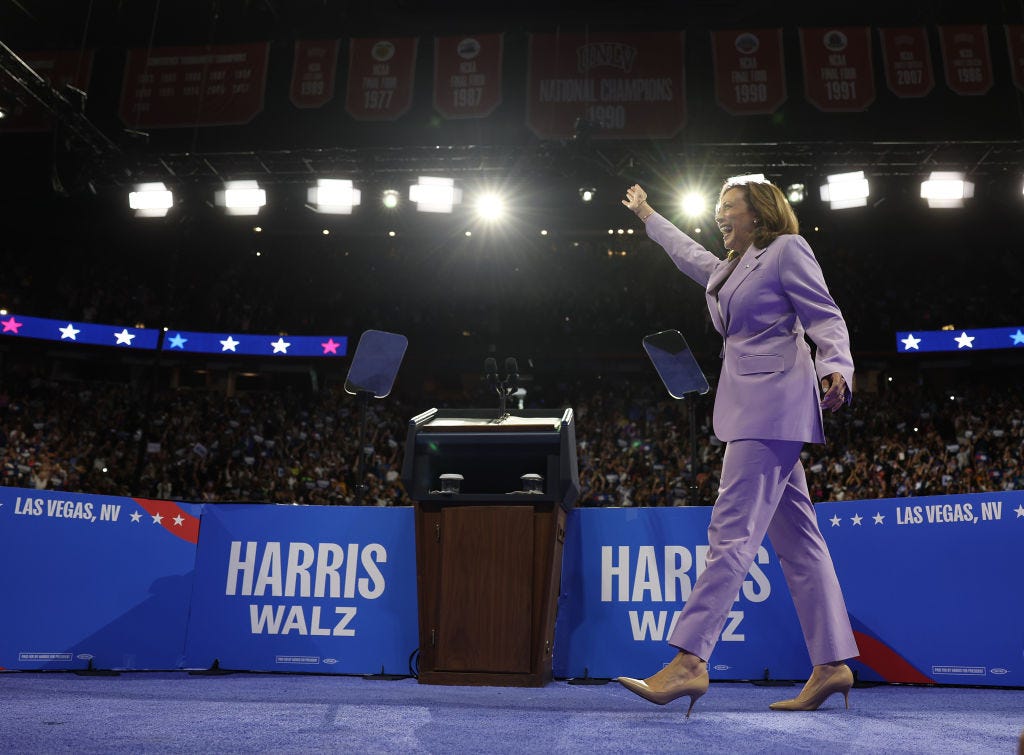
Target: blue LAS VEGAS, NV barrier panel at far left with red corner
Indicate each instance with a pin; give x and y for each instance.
(97, 578)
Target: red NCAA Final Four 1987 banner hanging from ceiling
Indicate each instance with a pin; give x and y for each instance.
(468, 75)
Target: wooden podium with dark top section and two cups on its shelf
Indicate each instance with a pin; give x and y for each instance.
(489, 558)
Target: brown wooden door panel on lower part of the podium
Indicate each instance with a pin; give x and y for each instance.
(487, 577)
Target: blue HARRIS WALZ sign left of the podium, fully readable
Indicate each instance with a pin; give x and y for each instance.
(327, 590)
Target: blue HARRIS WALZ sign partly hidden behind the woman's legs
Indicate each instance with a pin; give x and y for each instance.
(628, 572)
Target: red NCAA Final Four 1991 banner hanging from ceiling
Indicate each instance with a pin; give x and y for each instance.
(838, 72)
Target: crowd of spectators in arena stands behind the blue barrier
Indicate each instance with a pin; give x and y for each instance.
(291, 446)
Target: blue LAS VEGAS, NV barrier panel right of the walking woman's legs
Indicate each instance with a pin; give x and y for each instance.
(932, 586)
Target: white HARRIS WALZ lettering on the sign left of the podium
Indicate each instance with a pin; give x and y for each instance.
(306, 571)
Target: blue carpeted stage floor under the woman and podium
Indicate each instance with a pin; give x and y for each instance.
(176, 712)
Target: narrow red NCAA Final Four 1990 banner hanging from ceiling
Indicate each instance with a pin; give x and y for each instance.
(750, 75)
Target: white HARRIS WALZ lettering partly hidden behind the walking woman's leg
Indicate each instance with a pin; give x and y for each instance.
(639, 576)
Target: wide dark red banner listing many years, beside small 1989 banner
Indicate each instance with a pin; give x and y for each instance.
(172, 88)
